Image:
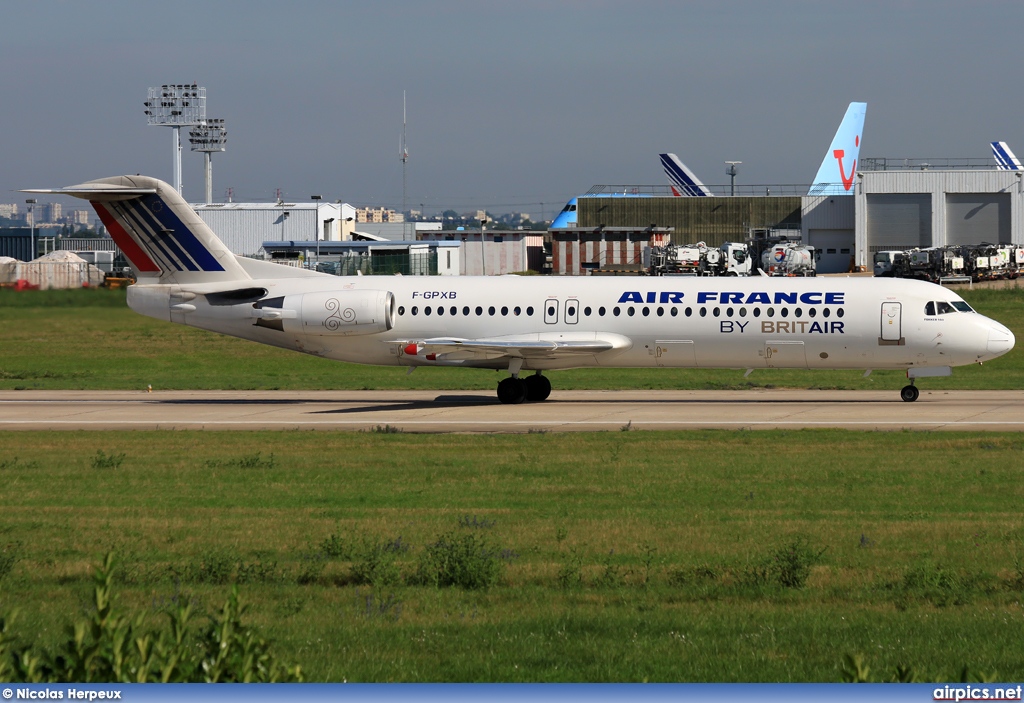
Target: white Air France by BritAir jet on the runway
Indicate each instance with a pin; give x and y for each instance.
(536, 324)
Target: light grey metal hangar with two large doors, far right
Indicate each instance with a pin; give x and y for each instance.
(923, 207)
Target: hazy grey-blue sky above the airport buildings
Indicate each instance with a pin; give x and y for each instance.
(511, 105)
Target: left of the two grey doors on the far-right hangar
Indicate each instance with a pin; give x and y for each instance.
(899, 222)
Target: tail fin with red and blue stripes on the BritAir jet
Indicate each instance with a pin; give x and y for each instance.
(159, 233)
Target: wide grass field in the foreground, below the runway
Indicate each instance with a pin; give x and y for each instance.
(627, 556)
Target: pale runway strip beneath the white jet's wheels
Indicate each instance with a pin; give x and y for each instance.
(480, 412)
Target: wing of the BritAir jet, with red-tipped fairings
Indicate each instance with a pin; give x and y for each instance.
(444, 348)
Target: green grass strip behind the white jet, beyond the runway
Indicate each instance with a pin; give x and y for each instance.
(91, 340)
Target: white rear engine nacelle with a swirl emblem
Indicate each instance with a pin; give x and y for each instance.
(343, 313)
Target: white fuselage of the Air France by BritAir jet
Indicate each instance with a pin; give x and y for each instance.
(751, 323)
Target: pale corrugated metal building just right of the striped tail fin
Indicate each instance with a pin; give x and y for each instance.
(245, 227)
